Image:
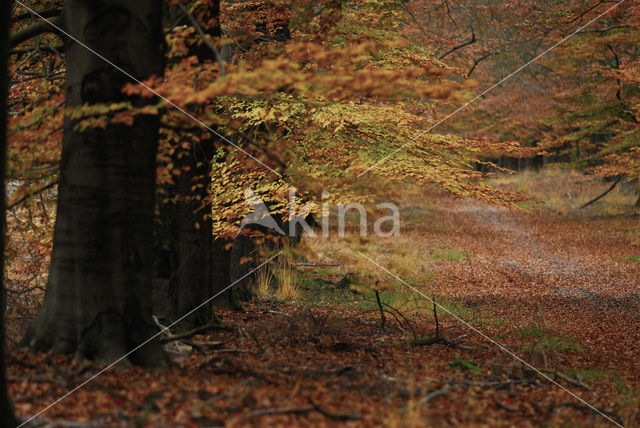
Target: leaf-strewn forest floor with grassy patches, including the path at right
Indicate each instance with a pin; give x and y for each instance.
(557, 287)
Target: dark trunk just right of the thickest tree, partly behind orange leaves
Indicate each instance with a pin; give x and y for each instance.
(197, 266)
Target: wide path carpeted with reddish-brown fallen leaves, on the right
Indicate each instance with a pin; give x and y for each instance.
(571, 271)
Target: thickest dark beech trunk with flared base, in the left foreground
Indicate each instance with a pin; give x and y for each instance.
(98, 298)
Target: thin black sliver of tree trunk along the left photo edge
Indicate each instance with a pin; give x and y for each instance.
(6, 412)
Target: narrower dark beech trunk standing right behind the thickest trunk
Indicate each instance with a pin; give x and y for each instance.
(187, 258)
